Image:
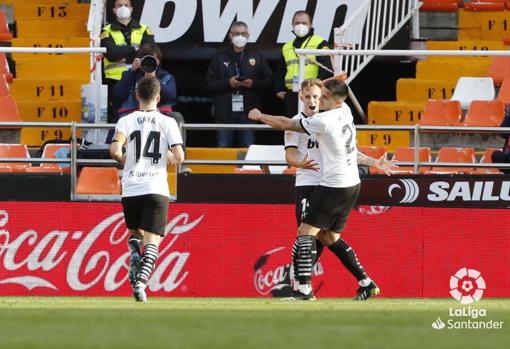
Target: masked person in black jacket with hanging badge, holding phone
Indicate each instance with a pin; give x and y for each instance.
(236, 79)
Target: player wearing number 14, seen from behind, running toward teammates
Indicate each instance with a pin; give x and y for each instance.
(152, 141)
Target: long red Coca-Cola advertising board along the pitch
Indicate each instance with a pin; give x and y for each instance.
(232, 250)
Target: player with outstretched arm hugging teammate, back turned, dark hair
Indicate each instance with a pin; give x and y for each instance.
(332, 201)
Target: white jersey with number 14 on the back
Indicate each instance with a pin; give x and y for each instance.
(149, 136)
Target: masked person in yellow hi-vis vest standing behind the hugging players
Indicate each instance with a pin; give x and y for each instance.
(287, 77)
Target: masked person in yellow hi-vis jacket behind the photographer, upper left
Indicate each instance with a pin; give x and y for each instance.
(122, 38)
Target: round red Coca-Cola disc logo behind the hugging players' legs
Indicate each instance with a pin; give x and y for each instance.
(274, 272)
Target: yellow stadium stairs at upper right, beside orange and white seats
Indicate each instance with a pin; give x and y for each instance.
(478, 28)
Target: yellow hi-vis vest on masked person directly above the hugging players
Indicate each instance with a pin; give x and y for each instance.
(292, 60)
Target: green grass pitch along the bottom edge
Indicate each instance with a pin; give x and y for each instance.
(95, 323)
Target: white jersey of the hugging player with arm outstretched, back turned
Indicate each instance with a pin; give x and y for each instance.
(336, 133)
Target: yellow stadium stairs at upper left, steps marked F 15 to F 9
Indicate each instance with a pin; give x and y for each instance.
(47, 87)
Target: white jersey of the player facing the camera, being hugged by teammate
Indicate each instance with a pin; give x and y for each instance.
(305, 144)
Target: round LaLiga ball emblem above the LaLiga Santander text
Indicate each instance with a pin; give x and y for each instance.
(467, 285)
